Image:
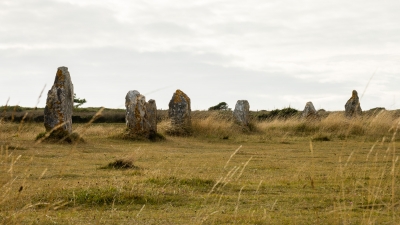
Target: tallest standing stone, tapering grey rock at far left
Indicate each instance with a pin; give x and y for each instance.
(60, 103)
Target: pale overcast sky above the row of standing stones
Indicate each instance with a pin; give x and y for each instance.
(273, 53)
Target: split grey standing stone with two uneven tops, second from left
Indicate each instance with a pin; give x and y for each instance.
(141, 116)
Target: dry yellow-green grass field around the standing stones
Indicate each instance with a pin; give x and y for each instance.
(333, 171)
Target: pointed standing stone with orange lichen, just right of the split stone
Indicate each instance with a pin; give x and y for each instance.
(180, 114)
